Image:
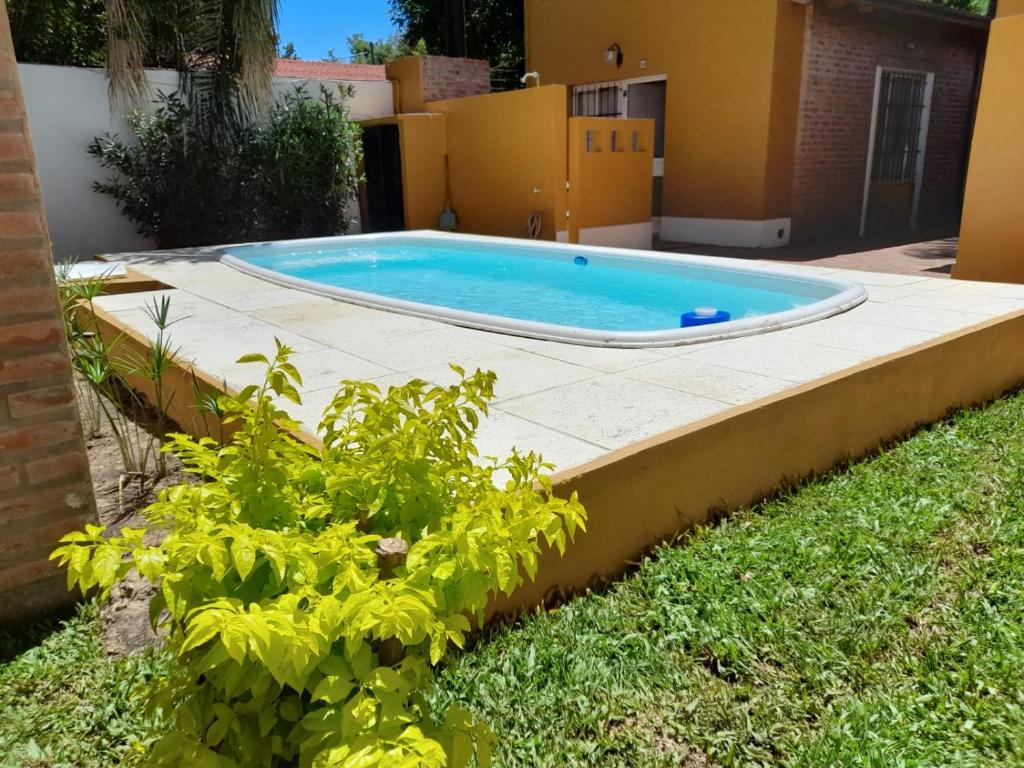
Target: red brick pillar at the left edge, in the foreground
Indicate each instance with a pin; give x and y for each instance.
(46, 491)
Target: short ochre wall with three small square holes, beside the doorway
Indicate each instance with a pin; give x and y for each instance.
(610, 187)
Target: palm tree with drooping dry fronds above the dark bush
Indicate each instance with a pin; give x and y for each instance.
(225, 52)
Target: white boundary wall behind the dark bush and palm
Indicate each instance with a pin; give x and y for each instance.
(68, 107)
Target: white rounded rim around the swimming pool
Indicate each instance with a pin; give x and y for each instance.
(848, 296)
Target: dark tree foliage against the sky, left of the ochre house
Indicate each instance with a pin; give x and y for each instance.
(494, 31)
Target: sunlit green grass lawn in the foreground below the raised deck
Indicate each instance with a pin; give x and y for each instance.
(874, 618)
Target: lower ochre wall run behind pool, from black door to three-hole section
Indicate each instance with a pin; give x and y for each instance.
(508, 157)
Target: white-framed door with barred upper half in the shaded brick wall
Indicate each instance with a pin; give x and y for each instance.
(897, 155)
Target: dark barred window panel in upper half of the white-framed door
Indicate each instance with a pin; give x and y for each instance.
(898, 129)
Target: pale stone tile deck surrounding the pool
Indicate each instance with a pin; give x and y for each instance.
(574, 404)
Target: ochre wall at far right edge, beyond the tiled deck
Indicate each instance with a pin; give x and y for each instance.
(992, 244)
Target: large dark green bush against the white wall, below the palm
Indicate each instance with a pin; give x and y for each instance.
(185, 184)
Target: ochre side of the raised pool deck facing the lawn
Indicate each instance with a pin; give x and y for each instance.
(645, 495)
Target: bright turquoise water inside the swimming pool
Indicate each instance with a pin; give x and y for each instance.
(530, 284)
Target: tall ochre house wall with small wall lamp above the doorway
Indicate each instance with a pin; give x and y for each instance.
(733, 89)
